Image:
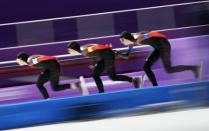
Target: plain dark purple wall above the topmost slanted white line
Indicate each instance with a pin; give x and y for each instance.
(24, 10)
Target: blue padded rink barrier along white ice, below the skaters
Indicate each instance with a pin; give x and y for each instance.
(140, 101)
